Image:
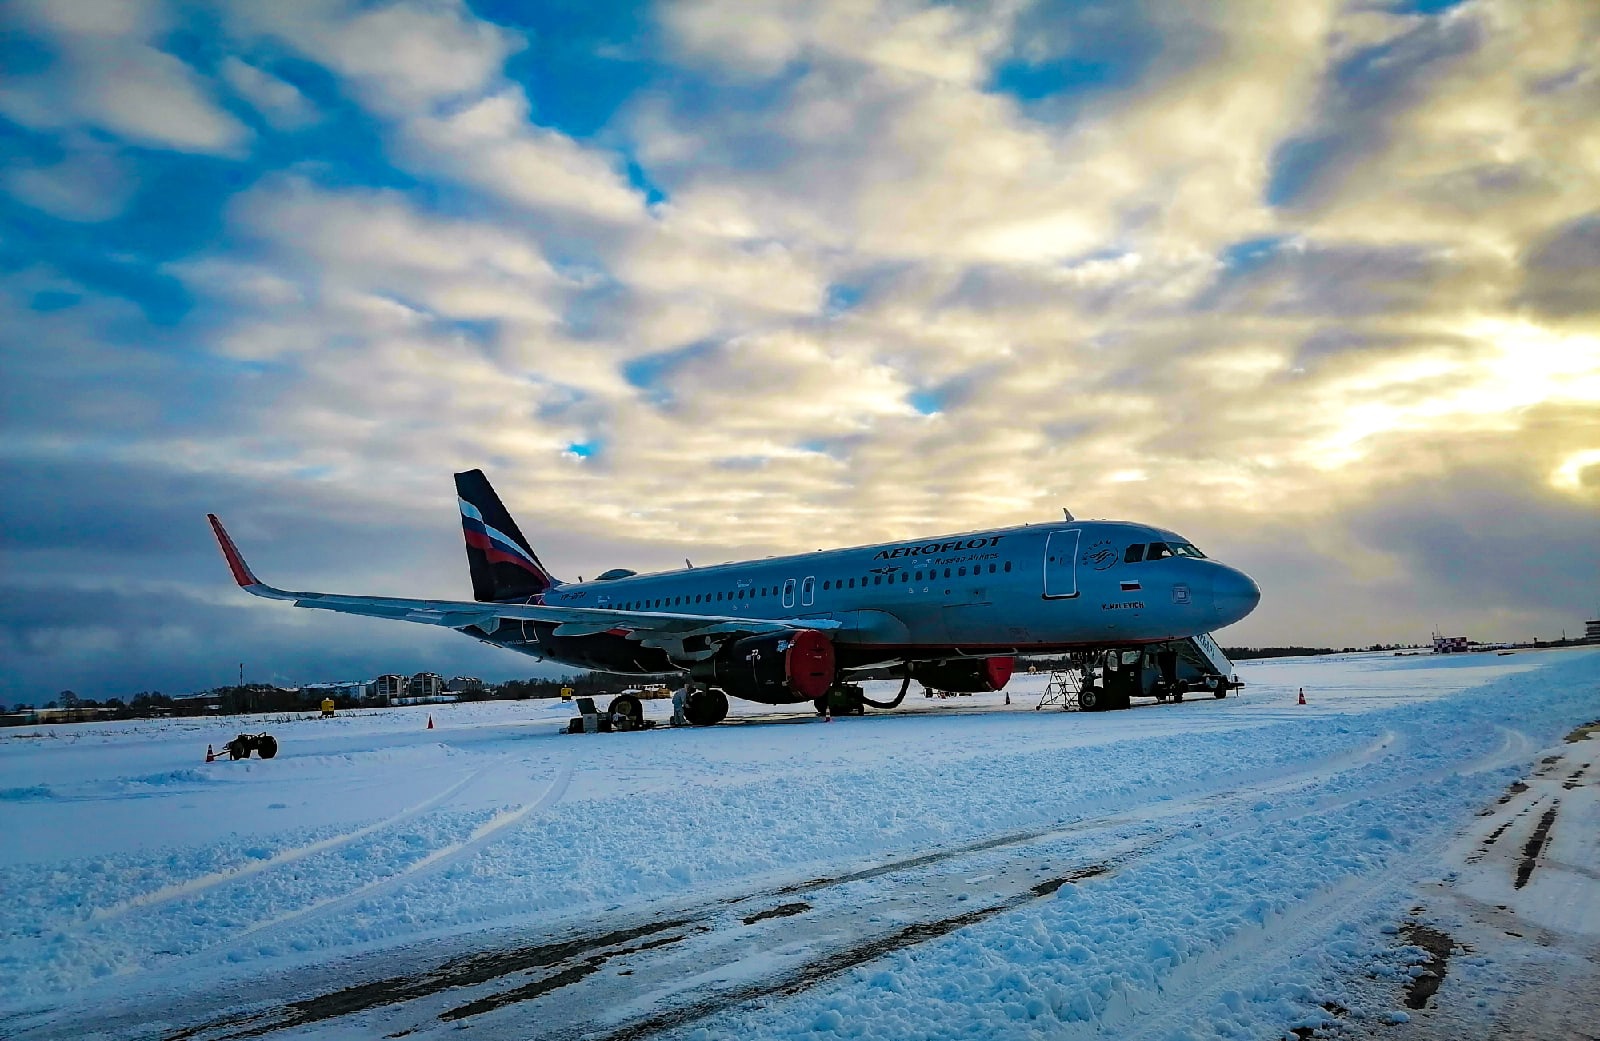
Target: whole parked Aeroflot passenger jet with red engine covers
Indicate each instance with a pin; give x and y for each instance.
(951, 610)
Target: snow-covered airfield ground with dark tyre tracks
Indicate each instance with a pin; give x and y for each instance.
(1246, 867)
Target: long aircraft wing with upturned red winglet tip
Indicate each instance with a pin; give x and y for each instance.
(652, 629)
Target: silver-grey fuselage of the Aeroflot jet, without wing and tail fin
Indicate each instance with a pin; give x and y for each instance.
(1010, 591)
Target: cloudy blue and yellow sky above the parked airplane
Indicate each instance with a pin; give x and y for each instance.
(1314, 284)
